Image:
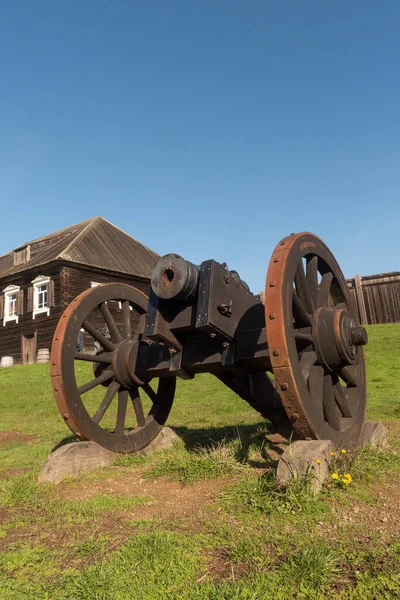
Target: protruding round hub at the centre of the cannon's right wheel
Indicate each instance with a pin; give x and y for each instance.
(337, 337)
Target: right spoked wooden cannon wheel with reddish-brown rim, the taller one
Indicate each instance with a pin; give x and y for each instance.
(315, 341)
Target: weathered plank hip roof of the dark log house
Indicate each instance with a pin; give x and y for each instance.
(95, 242)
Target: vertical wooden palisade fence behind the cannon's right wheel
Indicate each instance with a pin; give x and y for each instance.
(377, 297)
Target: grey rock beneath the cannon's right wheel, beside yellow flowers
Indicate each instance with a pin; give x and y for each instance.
(300, 460)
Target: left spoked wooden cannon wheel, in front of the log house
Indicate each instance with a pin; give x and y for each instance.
(98, 394)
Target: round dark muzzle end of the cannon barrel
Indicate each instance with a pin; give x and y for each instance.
(175, 277)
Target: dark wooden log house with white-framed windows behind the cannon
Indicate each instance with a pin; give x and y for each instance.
(40, 278)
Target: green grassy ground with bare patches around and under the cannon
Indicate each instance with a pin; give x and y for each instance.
(256, 541)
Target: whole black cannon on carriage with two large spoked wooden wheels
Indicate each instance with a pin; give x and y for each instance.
(296, 357)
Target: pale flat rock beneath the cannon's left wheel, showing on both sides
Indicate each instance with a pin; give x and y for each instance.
(76, 458)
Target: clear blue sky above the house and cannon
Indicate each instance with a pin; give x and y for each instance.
(210, 129)
